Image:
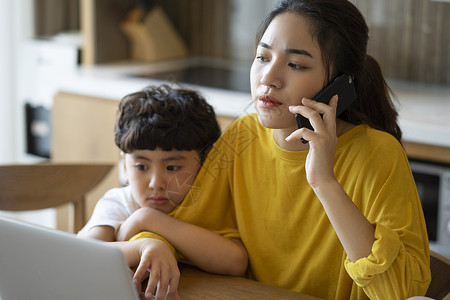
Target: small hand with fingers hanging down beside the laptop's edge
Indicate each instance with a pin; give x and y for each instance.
(164, 275)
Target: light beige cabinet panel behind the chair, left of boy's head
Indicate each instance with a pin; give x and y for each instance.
(83, 132)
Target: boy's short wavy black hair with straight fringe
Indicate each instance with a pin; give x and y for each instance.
(166, 118)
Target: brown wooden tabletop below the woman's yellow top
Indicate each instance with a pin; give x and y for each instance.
(196, 284)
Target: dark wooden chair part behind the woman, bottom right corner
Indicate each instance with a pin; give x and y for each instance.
(440, 276)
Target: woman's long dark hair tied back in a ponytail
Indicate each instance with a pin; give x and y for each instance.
(342, 34)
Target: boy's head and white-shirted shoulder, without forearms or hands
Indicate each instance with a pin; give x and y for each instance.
(164, 135)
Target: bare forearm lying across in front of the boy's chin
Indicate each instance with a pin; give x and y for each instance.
(206, 249)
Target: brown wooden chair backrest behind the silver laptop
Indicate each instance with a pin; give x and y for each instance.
(39, 186)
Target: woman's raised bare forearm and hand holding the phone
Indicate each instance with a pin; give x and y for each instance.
(355, 232)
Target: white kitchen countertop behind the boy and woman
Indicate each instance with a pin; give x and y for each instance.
(424, 109)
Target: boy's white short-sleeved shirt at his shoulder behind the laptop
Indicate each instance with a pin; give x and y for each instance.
(112, 209)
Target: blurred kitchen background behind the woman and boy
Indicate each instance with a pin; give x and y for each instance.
(106, 48)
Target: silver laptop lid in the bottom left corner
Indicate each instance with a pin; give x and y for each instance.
(39, 263)
